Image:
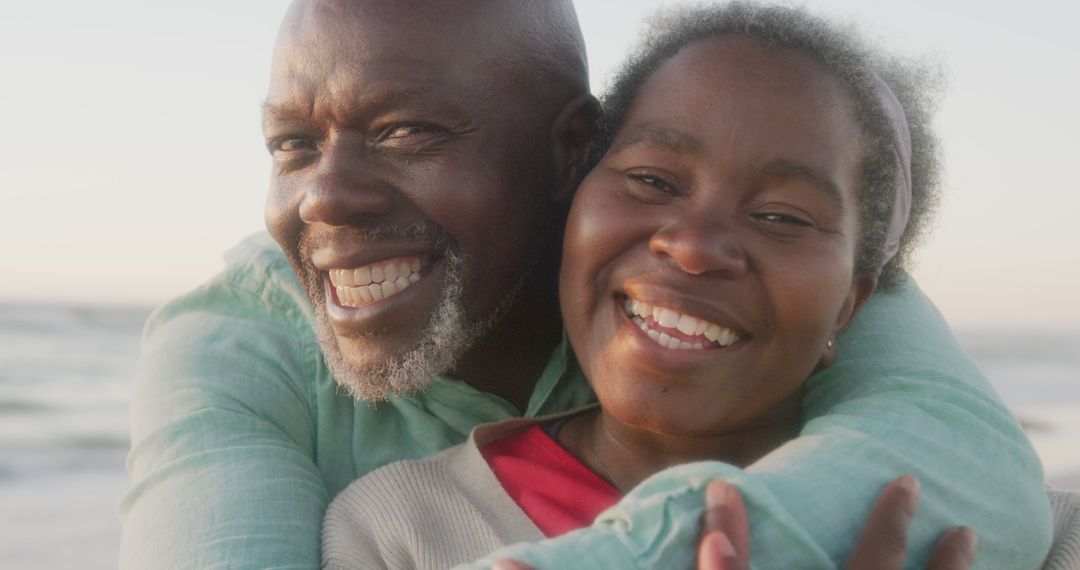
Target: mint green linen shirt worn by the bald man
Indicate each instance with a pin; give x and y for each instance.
(240, 439)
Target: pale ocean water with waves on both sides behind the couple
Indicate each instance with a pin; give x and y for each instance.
(66, 377)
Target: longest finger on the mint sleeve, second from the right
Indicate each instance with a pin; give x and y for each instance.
(884, 540)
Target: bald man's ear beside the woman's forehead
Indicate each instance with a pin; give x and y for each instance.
(571, 135)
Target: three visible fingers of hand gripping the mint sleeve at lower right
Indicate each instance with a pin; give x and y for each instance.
(725, 539)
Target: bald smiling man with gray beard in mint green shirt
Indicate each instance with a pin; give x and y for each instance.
(425, 153)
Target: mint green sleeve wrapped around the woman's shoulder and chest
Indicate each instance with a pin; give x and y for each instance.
(902, 399)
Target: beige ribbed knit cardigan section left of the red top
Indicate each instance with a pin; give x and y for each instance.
(435, 512)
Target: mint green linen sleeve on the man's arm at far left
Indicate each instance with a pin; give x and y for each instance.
(223, 435)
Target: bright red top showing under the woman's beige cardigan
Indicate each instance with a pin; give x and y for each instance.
(559, 493)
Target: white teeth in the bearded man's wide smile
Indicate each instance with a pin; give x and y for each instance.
(360, 287)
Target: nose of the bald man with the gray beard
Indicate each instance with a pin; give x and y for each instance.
(345, 189)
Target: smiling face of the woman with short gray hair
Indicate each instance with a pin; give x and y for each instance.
(717, 223)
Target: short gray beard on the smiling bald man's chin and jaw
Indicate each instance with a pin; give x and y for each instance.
(447, 338)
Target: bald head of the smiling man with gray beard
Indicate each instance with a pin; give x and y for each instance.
(413, 202)
